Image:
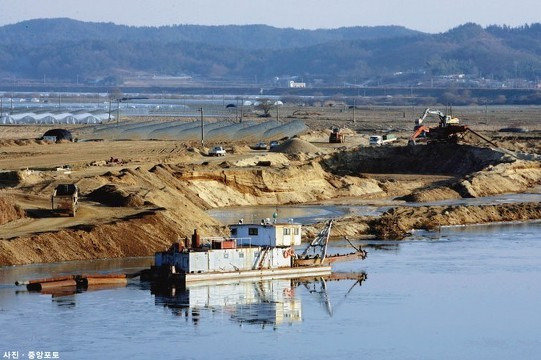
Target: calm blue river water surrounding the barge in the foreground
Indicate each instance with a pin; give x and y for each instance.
(463, 293)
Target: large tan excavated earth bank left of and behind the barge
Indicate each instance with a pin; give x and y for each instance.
(181, 194)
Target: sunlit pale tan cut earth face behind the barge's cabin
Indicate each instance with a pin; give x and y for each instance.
(258, 186)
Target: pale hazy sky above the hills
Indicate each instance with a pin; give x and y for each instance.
(424, 15)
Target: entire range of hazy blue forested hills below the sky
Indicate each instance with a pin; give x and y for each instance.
(65, 49)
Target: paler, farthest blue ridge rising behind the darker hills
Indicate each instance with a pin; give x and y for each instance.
(38, 32)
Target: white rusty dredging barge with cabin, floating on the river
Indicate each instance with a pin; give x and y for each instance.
(264, 250)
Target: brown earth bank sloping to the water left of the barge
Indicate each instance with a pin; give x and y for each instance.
(139, 235)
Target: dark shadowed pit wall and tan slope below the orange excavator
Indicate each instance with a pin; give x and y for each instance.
(473, 171)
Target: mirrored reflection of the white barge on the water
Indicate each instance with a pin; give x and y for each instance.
(264, 303)
